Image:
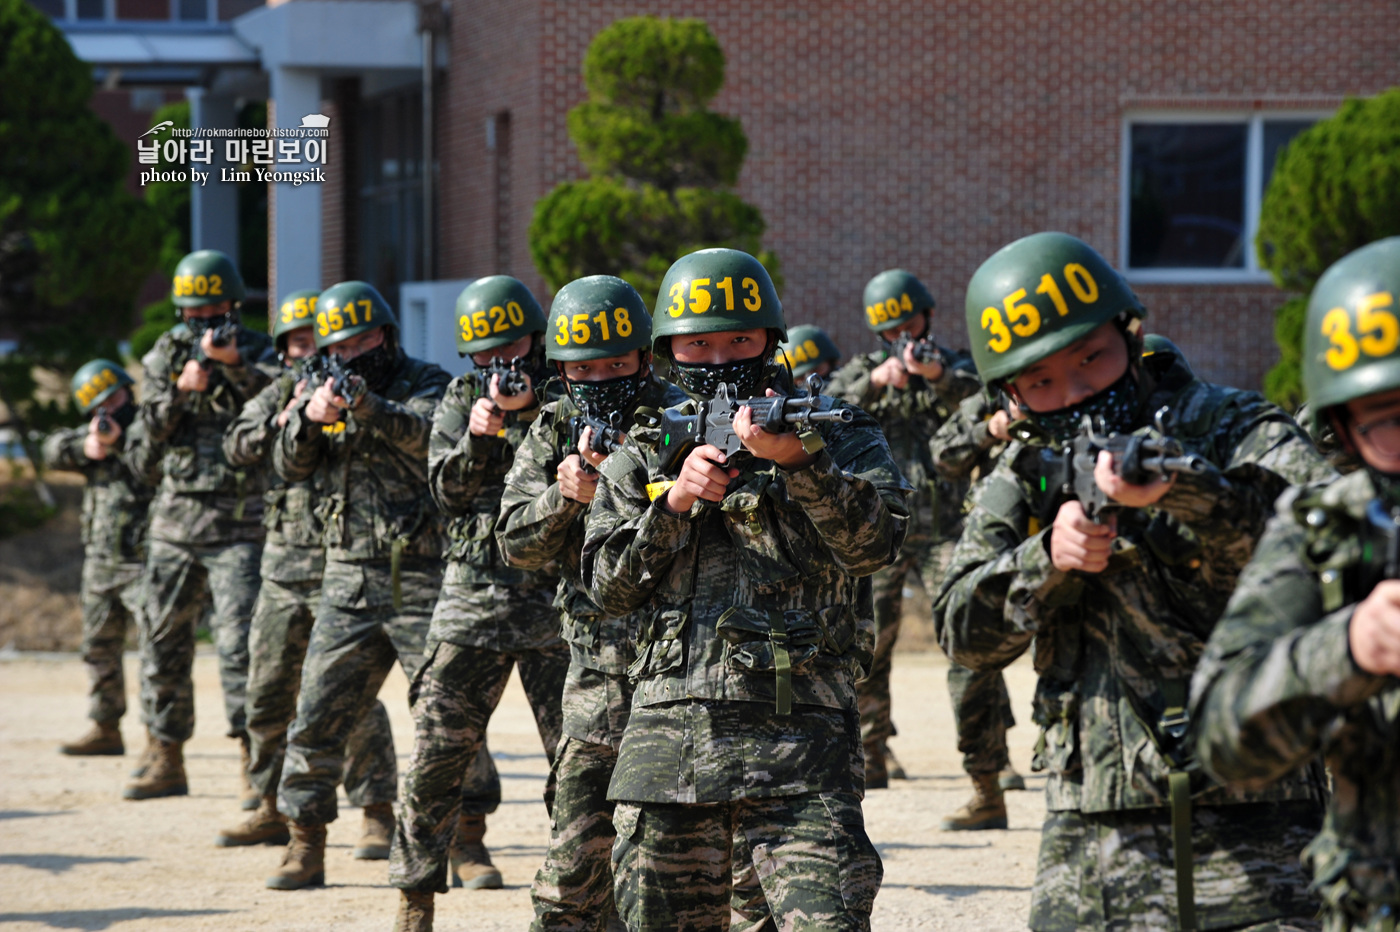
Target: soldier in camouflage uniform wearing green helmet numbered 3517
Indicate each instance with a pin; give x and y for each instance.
(362, 442)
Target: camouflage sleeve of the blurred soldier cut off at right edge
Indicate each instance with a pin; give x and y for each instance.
(1277, 671)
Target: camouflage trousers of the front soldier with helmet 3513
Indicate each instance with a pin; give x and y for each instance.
(813, 859)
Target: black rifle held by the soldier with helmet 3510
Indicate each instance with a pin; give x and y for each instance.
(1136, 458)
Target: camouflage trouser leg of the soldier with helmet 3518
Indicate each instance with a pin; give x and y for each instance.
(573, 888)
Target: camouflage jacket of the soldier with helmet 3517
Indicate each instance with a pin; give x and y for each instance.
(373, 469)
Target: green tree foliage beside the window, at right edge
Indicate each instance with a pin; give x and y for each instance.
(1335, 190)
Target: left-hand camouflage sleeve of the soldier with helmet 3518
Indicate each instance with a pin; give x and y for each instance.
(535, 517)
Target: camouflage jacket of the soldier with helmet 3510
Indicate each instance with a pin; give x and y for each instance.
(1116, 650)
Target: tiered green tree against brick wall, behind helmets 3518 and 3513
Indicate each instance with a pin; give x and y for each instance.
(661, 166)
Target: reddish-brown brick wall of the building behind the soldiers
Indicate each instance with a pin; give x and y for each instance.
(920, 135)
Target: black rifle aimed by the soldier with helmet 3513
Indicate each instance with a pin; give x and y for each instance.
(713, 422)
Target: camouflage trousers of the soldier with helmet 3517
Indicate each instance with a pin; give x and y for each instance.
(348, 658)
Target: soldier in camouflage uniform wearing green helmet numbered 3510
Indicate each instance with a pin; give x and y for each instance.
(1118, 609)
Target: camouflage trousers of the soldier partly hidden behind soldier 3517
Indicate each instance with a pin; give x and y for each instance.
(282, 625)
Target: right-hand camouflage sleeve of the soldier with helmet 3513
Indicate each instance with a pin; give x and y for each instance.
(855, 497)
